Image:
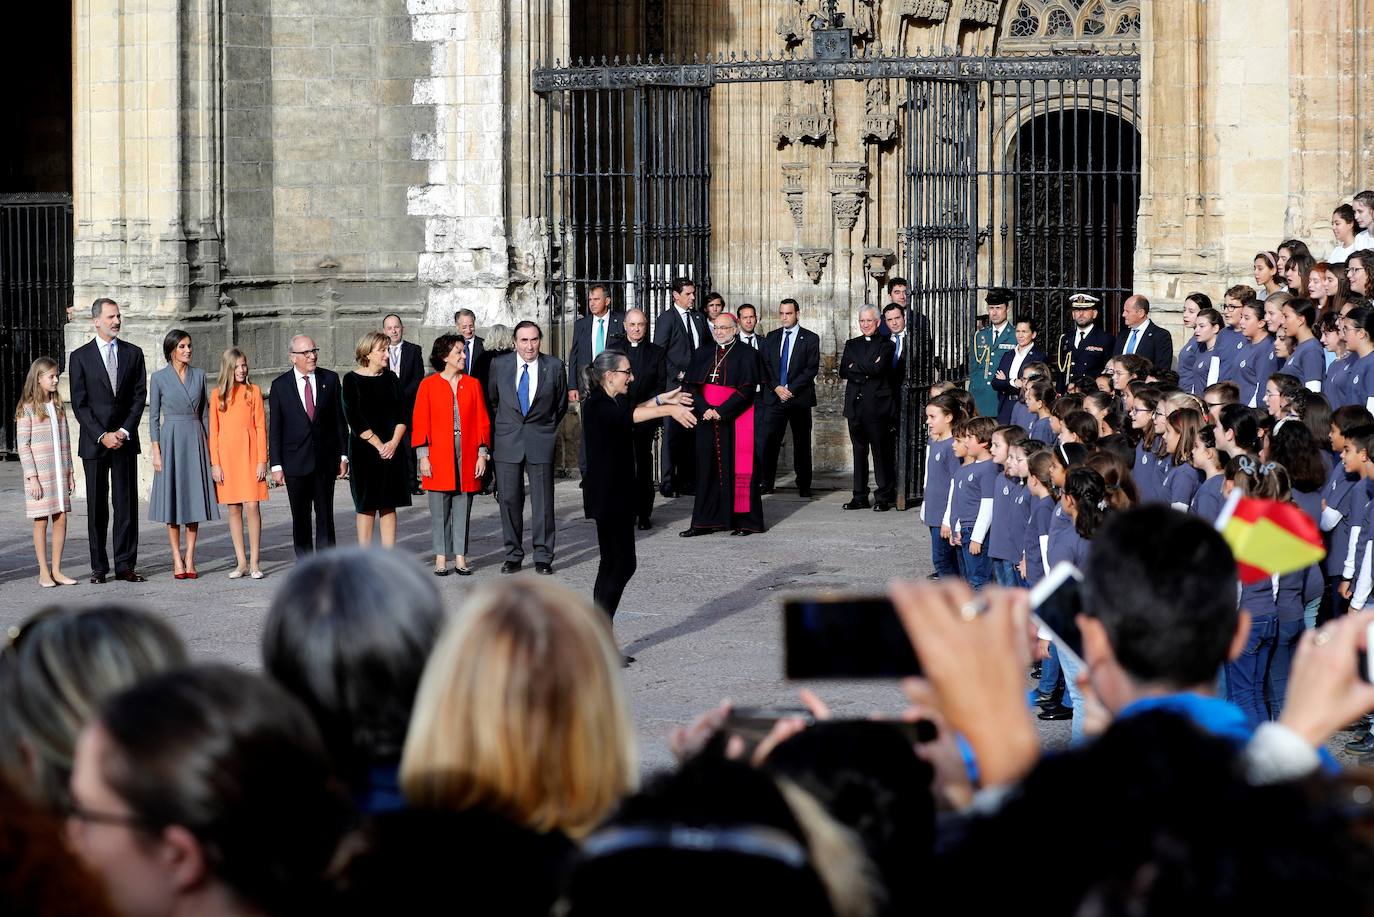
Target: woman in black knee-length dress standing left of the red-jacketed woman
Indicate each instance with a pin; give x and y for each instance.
(376, 413)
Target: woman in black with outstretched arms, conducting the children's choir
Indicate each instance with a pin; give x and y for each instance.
(608, 432)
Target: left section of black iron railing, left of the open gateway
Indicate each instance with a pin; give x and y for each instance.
(627, 179)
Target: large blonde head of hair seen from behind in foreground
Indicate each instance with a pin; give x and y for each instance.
(521, 713)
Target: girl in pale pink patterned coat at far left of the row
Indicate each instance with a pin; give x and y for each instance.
(46, 454)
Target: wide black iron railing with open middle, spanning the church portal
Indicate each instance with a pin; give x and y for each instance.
(1020, 173)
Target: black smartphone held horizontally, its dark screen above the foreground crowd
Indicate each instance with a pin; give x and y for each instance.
(846, 637)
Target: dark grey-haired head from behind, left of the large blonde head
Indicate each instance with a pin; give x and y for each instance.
(350, 634)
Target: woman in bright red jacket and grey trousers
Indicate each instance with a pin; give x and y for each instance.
(453, 441)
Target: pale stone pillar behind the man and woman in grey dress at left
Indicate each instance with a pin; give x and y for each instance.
(145, 171)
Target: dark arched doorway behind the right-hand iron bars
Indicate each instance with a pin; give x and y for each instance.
(1075, 197)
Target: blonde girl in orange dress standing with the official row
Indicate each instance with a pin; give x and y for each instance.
(238, 456)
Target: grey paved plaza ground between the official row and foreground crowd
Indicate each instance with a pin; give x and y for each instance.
(703, 617)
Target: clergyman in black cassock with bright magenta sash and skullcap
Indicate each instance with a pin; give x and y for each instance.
(722, 380)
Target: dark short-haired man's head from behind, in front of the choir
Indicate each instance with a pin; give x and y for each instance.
(1159, 606)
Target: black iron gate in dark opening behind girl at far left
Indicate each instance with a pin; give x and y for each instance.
(35, 291)
